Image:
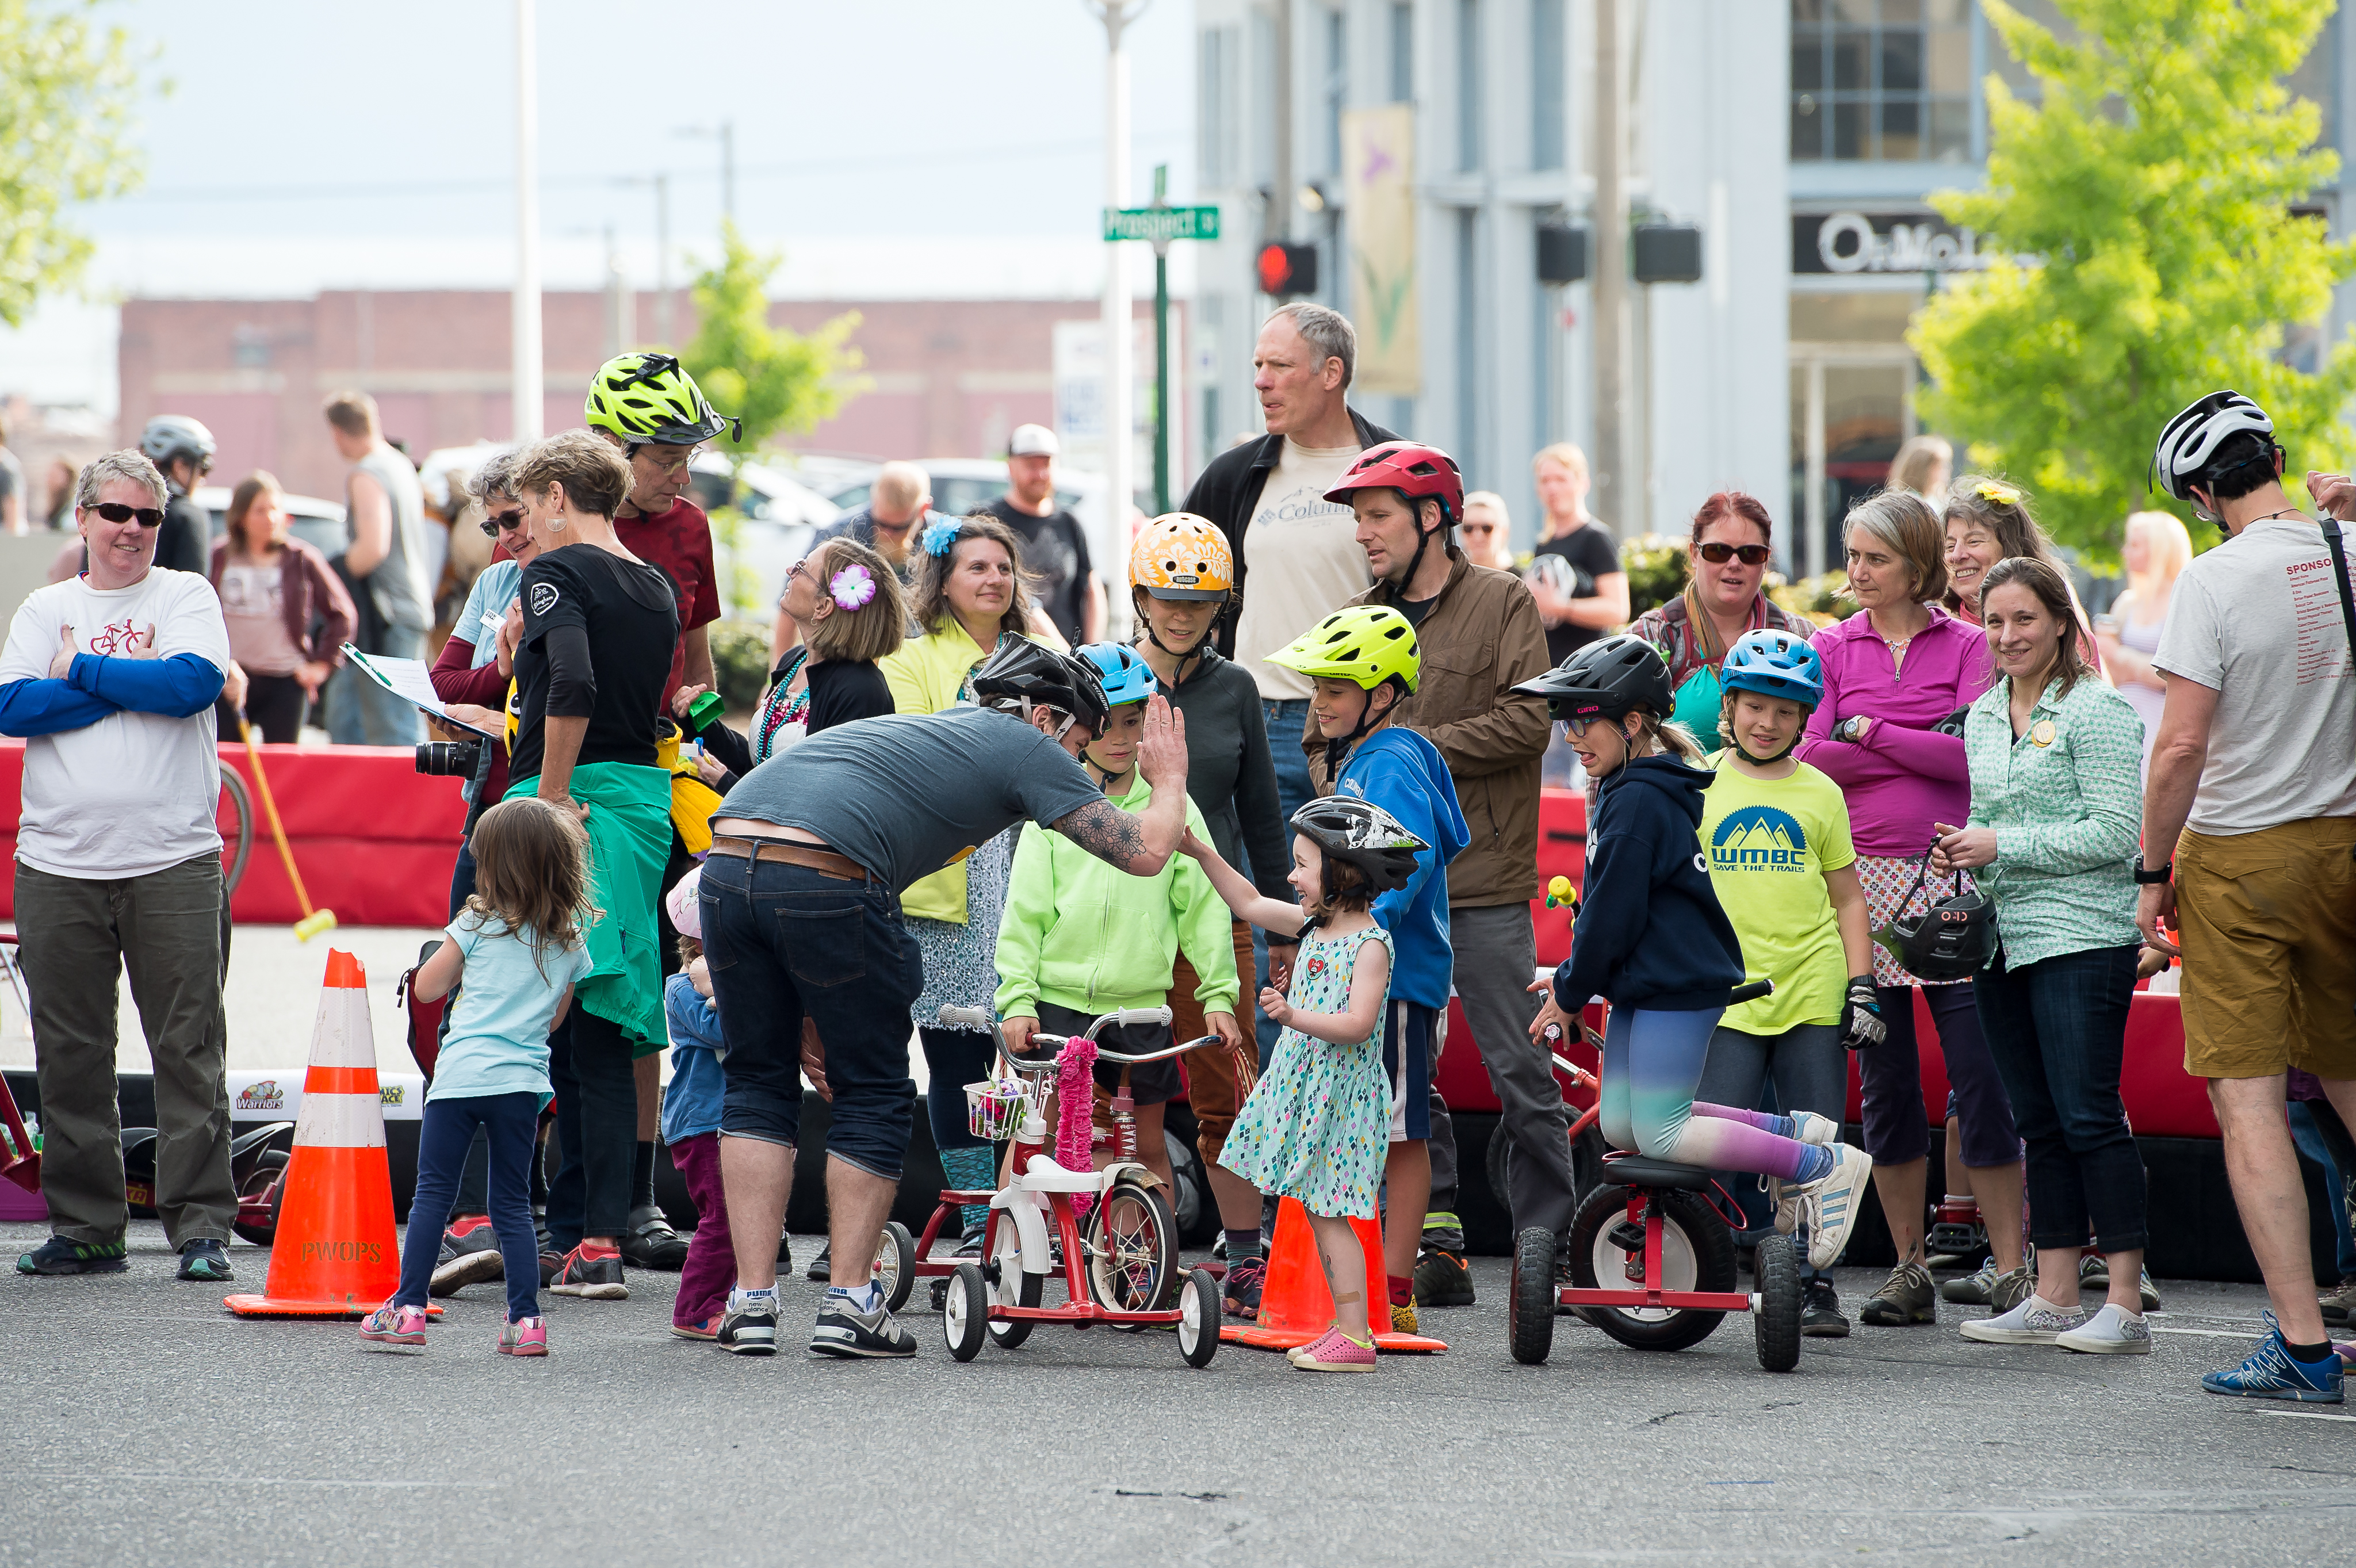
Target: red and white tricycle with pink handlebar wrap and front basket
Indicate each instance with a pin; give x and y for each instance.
(1120, 1261)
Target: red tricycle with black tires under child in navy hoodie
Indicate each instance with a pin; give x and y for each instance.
(1665, 1237)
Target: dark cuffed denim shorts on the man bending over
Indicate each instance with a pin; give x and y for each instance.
(790, 943)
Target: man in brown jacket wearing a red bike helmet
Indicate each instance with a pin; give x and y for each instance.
(1478, 634)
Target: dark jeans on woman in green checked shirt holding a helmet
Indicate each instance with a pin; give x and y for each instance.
(2058, 1032)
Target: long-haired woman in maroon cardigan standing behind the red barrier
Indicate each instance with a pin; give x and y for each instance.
(272, 590)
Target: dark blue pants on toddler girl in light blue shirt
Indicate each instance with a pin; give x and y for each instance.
(512, 1127)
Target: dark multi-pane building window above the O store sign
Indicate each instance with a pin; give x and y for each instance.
(1881, 81)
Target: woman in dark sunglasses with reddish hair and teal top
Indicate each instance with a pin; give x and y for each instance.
(1723, 602)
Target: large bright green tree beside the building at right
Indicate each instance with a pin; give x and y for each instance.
(2150, 253)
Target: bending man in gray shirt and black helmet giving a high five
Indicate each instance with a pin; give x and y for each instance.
(802, 919)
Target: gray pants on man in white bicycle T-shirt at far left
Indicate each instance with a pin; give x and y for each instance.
(77, 936)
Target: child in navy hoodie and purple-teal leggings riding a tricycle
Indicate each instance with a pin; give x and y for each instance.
(1653, 941)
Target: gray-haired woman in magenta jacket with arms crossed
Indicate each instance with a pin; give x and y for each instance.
(1893, 675)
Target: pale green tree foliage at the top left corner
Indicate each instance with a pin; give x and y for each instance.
(67, 98)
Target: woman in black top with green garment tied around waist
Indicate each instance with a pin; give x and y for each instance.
(593, 665)
